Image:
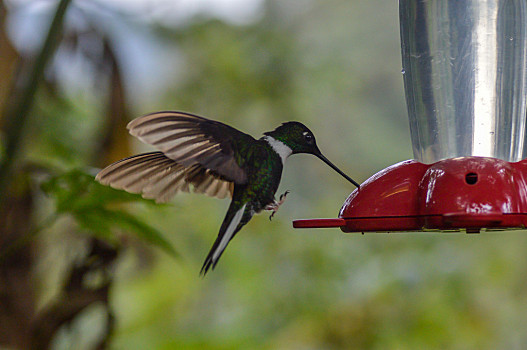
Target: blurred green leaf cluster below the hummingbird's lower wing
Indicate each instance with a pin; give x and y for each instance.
(95, 208)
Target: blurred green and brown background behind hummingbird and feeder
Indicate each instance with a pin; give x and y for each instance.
(83, 266)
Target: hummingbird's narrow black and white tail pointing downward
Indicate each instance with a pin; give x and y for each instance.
(233, 222)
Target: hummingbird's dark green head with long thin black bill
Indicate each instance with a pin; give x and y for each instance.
(300, 139)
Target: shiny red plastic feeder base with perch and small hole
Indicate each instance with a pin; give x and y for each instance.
(468, 193)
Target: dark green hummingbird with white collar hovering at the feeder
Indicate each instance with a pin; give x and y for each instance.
(215, 159)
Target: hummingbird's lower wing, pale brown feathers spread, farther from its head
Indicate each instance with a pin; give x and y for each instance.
(158, 177)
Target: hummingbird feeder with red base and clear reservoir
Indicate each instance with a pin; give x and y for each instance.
(465, 79)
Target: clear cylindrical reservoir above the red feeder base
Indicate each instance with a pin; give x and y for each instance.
(465, 77)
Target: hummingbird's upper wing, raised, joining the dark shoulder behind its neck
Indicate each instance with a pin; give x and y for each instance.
(192, 140)
